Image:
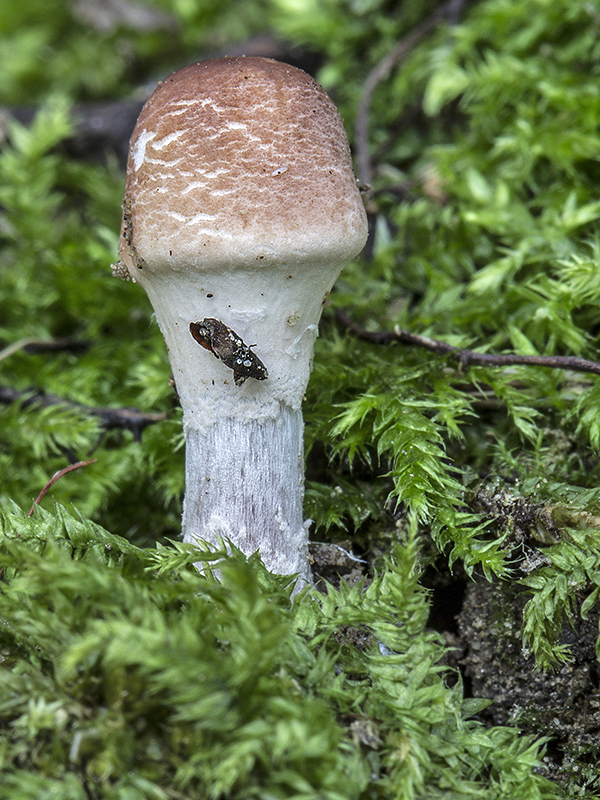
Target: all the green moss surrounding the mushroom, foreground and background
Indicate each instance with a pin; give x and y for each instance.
(484, 144)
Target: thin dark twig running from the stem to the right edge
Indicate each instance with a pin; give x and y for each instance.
(466, 357)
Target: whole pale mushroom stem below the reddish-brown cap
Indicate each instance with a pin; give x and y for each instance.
(244, 444)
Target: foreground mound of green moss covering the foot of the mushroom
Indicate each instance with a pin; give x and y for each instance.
(125, 673)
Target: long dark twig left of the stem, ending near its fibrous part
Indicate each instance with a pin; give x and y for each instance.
(128, 418)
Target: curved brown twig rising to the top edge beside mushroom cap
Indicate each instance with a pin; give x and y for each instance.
(447, 11)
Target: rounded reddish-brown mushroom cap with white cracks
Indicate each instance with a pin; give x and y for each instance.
(239, 160)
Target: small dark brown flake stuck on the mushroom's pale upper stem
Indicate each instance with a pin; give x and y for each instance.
(228, 347)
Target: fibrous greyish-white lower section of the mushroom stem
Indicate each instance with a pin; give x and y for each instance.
(245, 482)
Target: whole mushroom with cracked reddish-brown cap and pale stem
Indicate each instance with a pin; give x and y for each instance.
(240, 210)
